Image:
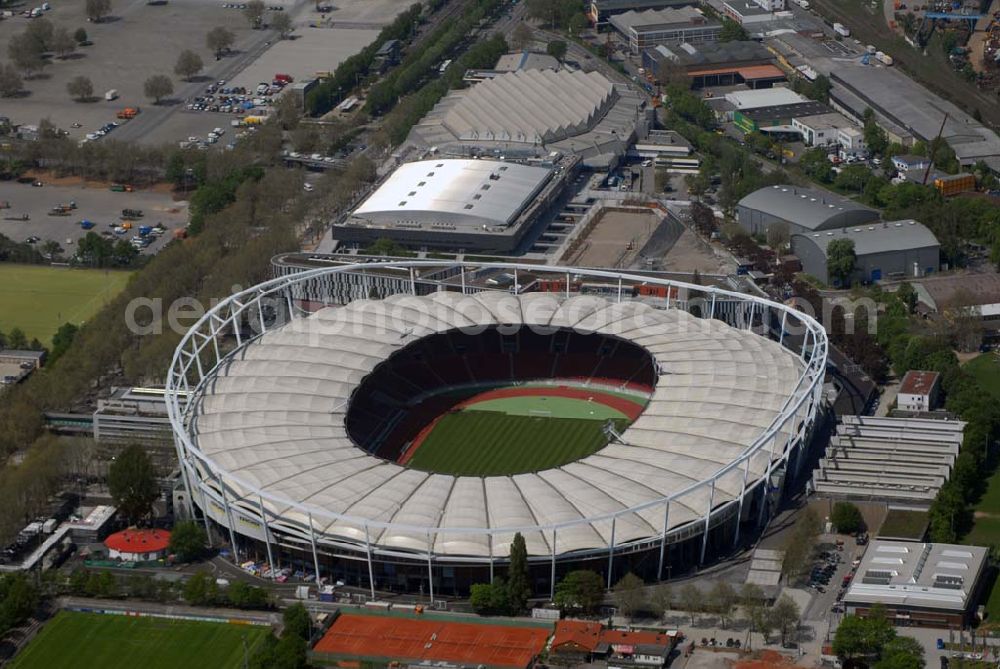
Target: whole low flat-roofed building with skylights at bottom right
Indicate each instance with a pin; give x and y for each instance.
(919, 584)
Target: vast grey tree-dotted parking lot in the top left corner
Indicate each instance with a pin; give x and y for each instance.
(139, 40)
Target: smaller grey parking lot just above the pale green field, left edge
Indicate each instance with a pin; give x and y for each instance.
(94, 203)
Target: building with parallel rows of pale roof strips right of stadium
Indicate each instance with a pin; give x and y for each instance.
(903, 460)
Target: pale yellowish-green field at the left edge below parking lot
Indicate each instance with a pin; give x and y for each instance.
(38, 299)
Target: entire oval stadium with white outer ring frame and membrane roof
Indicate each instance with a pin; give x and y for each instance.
(400, 442)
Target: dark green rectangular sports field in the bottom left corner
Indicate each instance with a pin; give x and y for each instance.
(95, 641)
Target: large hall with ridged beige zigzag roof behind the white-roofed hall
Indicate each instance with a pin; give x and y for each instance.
(530, 113)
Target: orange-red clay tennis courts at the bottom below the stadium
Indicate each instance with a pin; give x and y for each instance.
(409, 639)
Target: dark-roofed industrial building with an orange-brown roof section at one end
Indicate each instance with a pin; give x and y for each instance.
(714, 64)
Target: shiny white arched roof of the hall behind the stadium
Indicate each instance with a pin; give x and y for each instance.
(454, 192)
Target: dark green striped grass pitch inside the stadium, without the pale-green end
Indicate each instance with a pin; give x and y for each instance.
(487, 443)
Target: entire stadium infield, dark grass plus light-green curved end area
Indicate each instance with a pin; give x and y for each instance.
(513, 435)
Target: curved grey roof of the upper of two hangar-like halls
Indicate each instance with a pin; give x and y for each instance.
(810, 208)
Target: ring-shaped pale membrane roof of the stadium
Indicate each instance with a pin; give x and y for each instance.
(274, 417)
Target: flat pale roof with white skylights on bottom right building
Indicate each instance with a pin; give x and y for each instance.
(913, 574)
